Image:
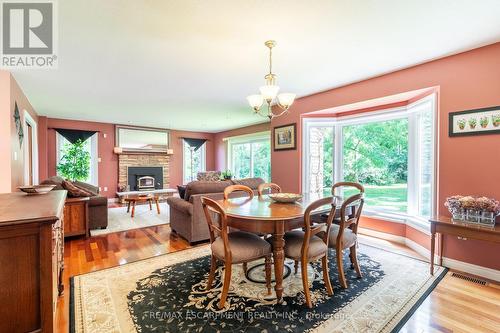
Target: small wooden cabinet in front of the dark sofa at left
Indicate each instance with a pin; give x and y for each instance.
(76, 217)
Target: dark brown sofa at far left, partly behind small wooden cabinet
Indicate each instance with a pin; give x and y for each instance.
(98, 205)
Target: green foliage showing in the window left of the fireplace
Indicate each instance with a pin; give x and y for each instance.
(75, 162)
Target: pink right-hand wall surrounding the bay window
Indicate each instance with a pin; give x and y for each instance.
(466, 165)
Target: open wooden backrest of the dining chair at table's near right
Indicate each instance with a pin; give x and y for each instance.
(311, 227)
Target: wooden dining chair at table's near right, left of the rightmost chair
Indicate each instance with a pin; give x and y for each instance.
(305, 245)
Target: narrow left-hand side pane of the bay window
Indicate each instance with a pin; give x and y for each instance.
(321, 159)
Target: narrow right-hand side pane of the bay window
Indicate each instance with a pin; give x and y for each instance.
(426, 166)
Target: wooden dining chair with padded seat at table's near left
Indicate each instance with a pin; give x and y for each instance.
(232, 248)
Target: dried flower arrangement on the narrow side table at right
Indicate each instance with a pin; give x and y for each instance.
(482, 206)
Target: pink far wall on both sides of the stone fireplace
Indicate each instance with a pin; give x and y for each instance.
(108, 167)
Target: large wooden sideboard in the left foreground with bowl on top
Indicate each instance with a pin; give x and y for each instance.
(31, 260)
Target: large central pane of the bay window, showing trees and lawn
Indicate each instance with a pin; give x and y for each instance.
(376, 155)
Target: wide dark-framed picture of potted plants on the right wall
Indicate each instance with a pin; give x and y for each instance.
(475, 122)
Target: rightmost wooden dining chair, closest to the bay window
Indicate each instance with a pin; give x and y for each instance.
(345, 234)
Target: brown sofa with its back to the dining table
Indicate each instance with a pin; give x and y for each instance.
(187, 218)
